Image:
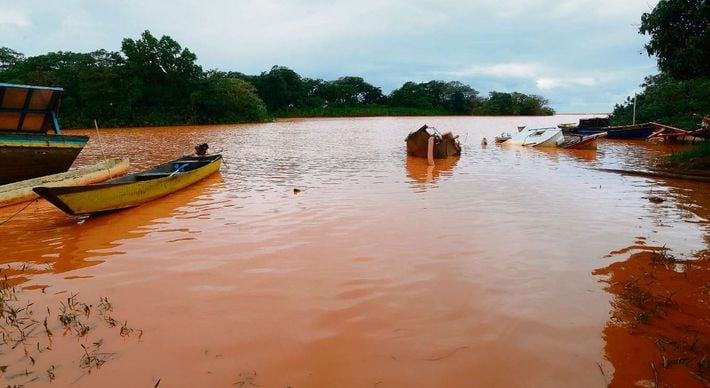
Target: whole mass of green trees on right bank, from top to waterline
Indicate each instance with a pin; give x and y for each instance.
(680, 41)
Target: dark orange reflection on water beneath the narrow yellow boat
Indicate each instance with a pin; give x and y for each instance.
(44, 241)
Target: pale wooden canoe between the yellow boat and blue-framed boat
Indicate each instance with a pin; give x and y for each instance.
(17, 192)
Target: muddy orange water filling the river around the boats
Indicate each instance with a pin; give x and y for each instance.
(381, 272)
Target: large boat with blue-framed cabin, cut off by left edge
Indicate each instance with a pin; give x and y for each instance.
(27, 148)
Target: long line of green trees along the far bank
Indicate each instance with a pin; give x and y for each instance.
(154, 81)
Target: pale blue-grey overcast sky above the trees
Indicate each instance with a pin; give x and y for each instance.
(582, 55)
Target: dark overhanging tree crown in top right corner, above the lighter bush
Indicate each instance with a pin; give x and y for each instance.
(680, 37)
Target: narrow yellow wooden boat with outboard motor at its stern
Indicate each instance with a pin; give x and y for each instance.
(133, 189)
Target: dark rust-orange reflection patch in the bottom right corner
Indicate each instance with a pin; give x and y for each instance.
(659, 333)
